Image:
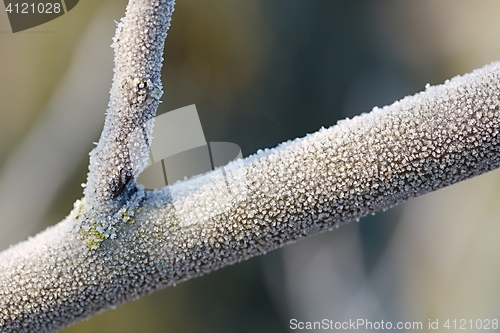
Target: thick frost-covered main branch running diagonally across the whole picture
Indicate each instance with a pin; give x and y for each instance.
(422, 143)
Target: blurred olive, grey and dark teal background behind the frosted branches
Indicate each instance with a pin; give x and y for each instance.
(261, 72)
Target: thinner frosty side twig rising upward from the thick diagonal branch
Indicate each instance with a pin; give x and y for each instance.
(119, 156)
